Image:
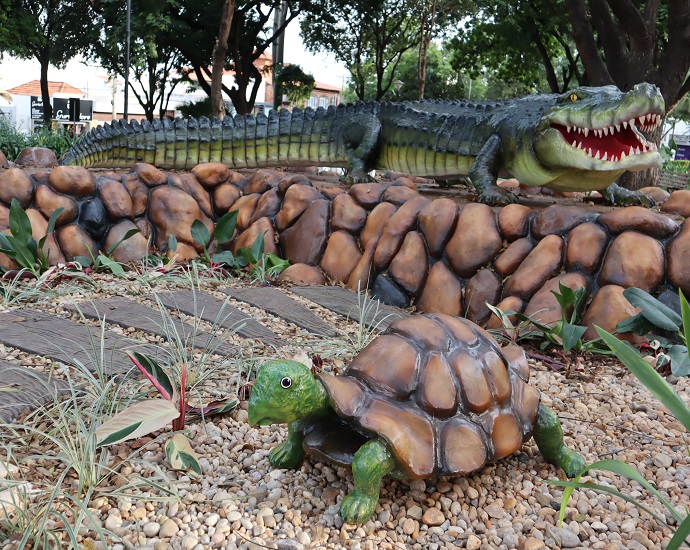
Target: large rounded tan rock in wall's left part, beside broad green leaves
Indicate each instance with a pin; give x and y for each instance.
(172, 212)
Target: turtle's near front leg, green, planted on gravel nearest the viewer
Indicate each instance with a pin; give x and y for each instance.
(371, 463)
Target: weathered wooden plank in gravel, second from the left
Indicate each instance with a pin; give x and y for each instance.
(67, 341)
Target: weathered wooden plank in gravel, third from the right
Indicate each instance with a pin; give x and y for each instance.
(211, 309)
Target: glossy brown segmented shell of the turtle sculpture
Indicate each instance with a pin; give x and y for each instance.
(441, 392)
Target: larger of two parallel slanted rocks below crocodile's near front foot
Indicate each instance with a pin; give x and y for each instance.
(541, 264)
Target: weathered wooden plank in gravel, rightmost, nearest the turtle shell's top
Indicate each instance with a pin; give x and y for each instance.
(347, 303)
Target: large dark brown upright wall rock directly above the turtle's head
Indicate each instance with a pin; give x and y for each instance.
(305, 240)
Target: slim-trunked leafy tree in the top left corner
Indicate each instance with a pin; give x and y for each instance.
(51, 31)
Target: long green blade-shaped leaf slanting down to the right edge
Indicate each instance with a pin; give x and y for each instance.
(651, 379)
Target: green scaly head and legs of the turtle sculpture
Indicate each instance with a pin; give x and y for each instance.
(306, 398)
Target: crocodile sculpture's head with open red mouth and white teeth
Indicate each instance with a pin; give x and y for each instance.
(592, 135)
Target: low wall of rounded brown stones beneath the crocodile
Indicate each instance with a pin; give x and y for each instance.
(435, 254)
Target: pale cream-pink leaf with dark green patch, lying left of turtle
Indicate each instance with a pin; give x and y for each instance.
(139, 419)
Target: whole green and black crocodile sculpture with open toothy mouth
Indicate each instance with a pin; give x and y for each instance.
(582, 140)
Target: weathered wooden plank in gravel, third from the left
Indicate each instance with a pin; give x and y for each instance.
(128, 313)
